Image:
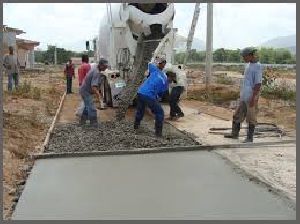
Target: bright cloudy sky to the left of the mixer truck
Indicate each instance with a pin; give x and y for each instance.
(59, 24)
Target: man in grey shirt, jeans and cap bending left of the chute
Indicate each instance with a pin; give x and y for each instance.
(89, 87)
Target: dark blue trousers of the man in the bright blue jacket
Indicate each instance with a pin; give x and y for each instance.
(142, 102)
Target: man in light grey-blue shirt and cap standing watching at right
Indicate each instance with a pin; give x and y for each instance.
(250, 89)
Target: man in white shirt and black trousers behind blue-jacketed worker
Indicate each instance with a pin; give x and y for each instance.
(176, 91)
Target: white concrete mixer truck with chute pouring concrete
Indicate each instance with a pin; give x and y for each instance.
(130, 36)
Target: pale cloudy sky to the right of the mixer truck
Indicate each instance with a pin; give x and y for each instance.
(237, 25)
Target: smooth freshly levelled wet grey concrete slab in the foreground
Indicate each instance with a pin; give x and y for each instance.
(182, 185)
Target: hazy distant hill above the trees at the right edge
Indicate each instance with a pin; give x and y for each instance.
(282, 42)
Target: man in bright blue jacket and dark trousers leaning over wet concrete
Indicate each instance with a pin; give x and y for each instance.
(149, 93)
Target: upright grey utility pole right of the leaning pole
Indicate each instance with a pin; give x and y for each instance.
(209, 45)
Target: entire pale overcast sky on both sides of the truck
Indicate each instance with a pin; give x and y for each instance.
(236, 25)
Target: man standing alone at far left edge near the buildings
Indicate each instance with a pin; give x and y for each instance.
(11, 64)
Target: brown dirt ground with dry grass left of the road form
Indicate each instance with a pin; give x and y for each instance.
(27, 117)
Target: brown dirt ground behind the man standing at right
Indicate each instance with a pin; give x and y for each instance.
(269, 110)
